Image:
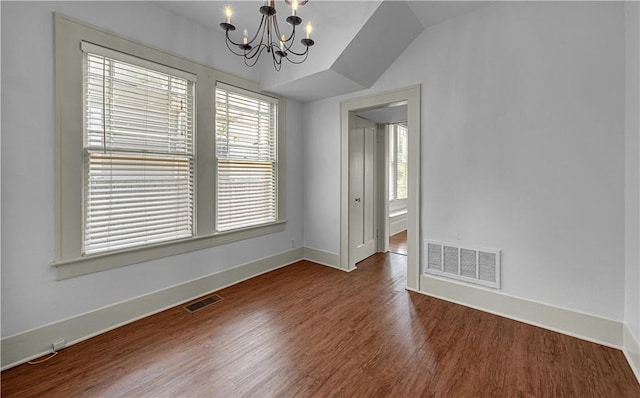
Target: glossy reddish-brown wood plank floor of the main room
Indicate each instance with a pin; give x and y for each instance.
(309, 330)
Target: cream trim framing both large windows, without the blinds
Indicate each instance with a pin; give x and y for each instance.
(68, 261)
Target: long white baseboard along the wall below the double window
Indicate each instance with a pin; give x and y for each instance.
(25, 346)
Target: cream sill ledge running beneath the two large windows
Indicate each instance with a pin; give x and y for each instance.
(71, 268)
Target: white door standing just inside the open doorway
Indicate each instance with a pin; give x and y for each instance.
(362, 201)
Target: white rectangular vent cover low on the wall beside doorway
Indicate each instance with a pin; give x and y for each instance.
(474, 265)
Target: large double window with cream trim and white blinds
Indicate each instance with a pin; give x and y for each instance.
(139, 175)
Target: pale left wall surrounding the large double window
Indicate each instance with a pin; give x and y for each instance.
(30, 295)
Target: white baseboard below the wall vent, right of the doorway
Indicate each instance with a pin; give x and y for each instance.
(563, 320)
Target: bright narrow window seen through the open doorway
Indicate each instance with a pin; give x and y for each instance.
(398, 157)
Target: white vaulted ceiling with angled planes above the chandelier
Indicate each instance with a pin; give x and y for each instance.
(356, 41)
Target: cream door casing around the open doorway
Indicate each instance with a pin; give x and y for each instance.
(411, 98)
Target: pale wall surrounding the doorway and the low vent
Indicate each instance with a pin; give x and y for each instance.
(522, 146)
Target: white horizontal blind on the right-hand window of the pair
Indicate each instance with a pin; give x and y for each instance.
(246, 158)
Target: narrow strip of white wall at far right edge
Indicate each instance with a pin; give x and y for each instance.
(632, 168)
